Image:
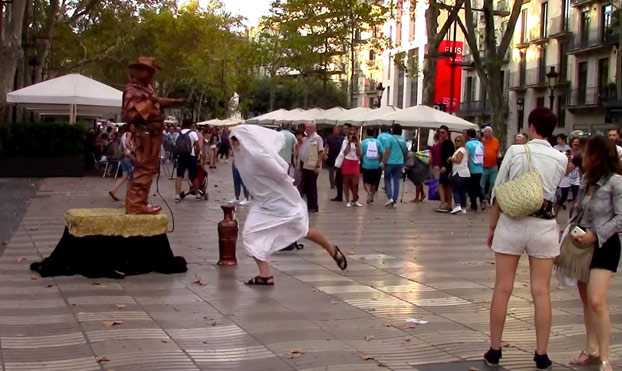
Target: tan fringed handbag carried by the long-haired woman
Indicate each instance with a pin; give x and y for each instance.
(574, 259)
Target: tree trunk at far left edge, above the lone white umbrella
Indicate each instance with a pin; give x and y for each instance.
(12, 53)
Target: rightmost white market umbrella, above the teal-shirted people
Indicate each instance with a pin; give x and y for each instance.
(427, 117)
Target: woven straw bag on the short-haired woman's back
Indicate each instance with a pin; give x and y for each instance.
(523, 195)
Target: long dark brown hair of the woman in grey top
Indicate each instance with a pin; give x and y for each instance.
(600, 159)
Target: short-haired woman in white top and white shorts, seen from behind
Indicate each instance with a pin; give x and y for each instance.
(536, 235)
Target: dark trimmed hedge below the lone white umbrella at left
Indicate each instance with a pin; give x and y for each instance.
(48, 139)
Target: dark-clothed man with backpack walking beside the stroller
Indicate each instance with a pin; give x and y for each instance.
(187, 149)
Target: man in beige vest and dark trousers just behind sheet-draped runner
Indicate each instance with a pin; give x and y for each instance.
(310, 157)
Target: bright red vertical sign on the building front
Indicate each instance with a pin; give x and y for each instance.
(443, 82)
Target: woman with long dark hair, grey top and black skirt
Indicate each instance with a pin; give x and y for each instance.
(598, 211)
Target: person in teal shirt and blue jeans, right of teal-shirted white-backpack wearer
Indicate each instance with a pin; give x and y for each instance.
(393, 162)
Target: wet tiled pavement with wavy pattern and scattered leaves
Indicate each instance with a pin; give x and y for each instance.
(407, 262)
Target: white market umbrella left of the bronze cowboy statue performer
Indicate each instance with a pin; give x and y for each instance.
(69, 95)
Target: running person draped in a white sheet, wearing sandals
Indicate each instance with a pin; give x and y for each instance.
(279, 215)
